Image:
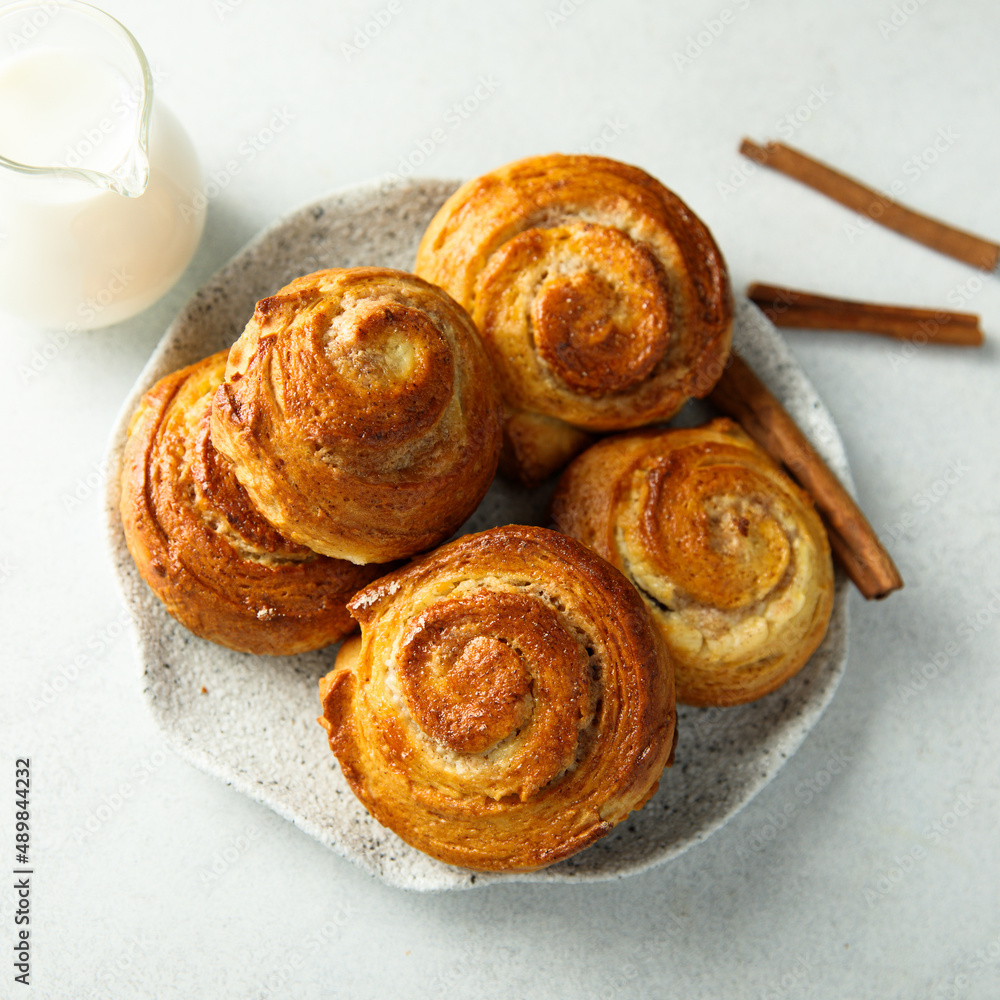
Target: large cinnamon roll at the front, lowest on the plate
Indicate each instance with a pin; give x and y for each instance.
(508, 702)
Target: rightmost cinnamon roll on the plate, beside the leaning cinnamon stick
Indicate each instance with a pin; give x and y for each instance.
(729, 554)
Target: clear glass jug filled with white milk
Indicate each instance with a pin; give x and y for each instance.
(101, 204)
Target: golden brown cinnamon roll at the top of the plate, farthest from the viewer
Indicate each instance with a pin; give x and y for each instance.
(602, 299)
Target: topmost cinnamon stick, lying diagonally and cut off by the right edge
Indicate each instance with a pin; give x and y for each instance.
(878, 207)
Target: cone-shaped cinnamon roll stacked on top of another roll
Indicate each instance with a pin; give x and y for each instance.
(361, 413)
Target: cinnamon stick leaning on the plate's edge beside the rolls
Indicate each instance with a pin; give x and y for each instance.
(741, 395)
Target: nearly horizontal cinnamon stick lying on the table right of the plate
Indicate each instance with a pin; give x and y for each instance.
(787, 307)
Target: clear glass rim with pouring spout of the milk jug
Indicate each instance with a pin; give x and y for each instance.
(132, 180)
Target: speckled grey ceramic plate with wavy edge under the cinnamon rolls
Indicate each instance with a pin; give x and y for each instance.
(256, 729)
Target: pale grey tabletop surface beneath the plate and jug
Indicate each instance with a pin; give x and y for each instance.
(869, 865)
